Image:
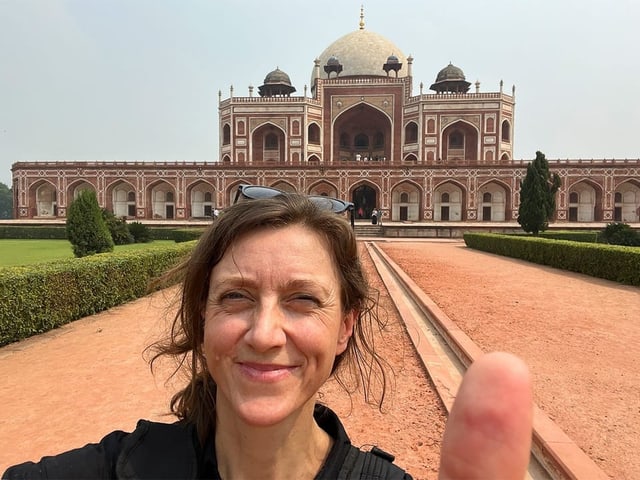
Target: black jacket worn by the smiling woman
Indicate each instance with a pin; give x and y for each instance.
(172, 451)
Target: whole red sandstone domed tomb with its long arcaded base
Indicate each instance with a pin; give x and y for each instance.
(360, 135)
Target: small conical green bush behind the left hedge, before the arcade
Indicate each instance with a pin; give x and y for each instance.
(86, 229)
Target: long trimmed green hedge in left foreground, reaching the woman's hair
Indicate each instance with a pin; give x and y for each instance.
(45, 296)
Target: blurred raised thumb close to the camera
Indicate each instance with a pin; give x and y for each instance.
(488, 433)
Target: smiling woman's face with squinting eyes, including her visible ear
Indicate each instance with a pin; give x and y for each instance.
(273, 324)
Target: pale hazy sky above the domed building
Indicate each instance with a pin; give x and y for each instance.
(139, 79)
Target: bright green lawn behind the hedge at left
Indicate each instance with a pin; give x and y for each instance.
(29, 252)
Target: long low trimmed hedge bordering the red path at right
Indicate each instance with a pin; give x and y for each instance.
(611, 262)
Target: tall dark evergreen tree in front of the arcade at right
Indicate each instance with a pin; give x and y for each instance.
(537, 196)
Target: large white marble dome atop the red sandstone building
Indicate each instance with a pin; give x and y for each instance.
(361, 53)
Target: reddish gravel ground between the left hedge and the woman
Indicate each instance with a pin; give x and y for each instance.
(69, 387)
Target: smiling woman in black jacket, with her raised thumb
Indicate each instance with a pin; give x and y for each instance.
(274, 302)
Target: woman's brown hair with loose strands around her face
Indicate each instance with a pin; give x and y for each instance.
(359, 365)
